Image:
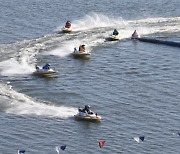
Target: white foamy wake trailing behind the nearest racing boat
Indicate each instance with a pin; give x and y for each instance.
(20, 104)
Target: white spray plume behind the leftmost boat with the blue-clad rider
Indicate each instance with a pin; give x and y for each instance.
(22, 63)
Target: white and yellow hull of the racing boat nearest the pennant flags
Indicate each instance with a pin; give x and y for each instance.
(88, 116)
